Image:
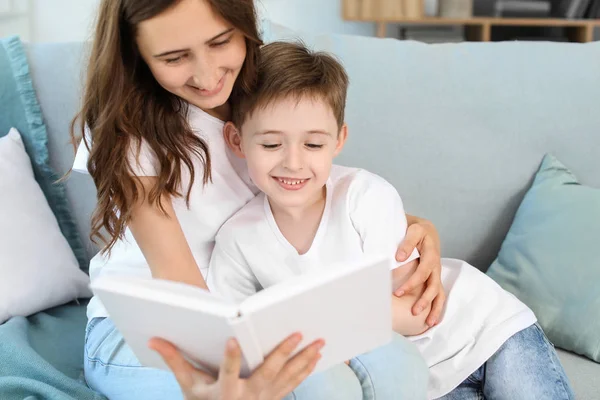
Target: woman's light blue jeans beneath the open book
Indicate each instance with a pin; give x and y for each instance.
(394, 371)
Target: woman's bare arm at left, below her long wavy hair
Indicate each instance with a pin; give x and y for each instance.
(161, 239)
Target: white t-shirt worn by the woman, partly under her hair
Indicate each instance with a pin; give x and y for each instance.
(210, 205)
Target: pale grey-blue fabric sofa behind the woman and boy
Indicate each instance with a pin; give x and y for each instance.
(459, 130)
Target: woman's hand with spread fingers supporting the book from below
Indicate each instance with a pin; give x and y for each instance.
(274, 379)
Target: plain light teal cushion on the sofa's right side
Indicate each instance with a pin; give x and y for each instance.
(550, 258)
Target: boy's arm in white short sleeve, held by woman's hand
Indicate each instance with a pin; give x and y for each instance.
(377, 213)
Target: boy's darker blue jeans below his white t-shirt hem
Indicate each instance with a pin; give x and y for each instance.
(526, 367)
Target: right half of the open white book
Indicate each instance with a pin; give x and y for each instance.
(348, 306)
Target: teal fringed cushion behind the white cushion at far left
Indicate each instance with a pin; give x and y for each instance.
(20, 109)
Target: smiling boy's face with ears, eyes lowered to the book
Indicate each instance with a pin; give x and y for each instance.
(289, 147)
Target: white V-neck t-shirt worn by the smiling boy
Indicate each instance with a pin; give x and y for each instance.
(364, 215)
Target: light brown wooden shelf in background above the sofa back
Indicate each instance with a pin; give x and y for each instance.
(479, 28)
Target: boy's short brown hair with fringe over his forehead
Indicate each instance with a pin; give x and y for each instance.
(291, 70)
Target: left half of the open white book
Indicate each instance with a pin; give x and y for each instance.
(196, 321)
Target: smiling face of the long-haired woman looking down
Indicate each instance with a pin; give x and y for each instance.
(193, 53)
